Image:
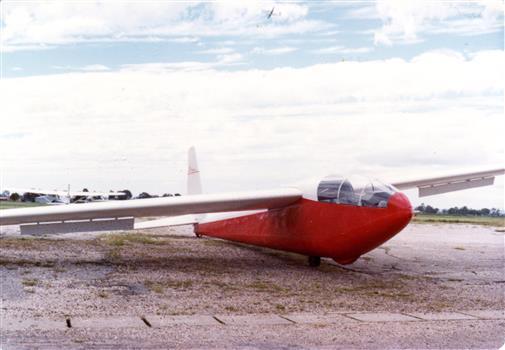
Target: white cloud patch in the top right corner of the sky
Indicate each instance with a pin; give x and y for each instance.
(405, 21)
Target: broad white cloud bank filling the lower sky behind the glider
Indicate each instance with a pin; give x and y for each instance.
(255, 128)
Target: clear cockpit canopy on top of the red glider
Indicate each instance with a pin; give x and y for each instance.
(354, 191)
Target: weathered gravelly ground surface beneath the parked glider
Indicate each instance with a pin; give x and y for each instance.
(438, 273)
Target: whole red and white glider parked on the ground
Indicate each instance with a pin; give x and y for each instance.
(336, 217)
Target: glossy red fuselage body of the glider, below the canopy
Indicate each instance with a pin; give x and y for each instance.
(339, 231)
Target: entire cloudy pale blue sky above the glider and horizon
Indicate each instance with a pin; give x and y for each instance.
(110, 95)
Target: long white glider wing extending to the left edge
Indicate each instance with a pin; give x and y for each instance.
(168, 206)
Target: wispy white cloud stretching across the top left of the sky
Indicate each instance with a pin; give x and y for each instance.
(48, 24)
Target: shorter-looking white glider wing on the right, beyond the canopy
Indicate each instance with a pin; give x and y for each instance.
(449, 183)
